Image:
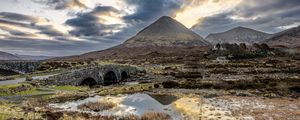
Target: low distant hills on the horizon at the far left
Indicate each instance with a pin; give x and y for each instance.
(9, 56)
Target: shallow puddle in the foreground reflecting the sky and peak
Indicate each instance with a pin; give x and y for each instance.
(135, 104)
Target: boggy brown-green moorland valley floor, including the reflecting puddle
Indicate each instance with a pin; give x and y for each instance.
(266, 88)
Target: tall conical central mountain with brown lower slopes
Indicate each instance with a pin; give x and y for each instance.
(165, 36)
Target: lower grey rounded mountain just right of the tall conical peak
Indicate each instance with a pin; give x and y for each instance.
(238, 35)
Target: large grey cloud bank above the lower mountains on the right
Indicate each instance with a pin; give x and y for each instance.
(266, 16)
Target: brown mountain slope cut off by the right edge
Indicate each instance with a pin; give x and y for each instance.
(289, 38)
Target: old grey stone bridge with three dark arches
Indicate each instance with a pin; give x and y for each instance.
(96, 75)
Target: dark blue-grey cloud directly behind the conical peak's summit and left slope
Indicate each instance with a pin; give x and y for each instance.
(147, 11)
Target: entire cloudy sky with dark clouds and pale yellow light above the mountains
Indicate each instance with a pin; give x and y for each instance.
(69, 27)
